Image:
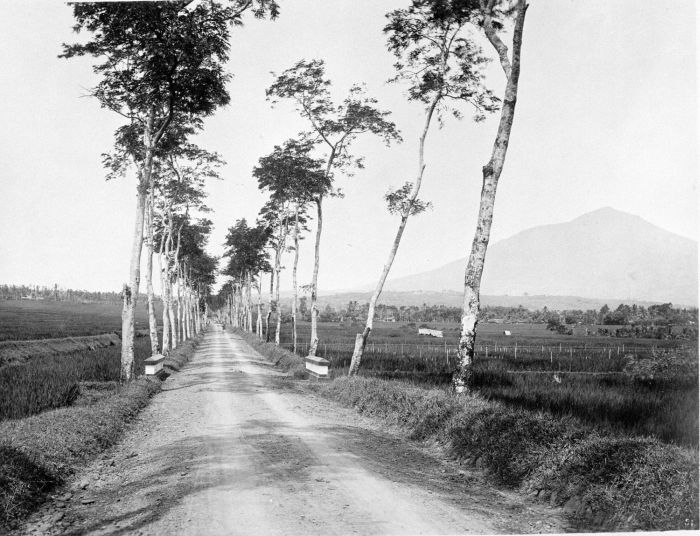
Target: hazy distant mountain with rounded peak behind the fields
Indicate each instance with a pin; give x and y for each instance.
(602, 254)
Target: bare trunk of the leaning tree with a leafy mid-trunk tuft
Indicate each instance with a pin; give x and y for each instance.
(361, 338)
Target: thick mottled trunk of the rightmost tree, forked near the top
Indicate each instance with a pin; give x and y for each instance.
(491, 172)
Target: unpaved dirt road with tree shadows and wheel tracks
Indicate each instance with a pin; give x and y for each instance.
(229, 447)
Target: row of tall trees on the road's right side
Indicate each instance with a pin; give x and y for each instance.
(439, 56)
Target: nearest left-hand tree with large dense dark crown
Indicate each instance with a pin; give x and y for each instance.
(155, 61)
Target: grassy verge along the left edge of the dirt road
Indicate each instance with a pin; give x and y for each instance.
(40, 452)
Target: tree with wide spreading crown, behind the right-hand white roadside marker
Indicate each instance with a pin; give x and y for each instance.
(335, 127)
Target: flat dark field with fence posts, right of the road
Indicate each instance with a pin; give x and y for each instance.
(637, 386)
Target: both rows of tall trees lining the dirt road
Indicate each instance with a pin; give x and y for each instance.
(161, 67)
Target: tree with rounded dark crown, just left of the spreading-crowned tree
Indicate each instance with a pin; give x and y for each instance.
(294, 179)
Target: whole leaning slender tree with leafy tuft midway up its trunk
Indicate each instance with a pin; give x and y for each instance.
(443, 68)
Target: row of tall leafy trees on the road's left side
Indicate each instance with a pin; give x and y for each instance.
(161, 67)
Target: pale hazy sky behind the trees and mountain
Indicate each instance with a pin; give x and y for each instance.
(606, 116)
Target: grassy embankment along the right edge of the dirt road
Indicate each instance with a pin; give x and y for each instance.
(604, 479)
